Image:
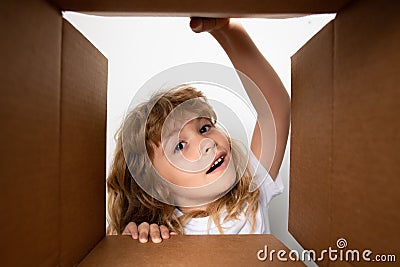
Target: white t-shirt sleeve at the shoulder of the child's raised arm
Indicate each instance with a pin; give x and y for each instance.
(262, 180)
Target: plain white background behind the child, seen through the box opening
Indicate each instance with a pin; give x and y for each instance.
(138, 48)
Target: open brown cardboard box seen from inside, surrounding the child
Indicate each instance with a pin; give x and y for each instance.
(344, 142)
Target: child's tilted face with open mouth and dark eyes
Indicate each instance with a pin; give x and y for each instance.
(194, 156)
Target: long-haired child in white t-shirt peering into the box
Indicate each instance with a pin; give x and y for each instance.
(228, 206)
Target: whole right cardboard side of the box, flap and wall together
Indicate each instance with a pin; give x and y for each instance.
(345, 132)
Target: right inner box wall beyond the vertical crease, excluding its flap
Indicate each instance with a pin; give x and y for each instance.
(366, 144)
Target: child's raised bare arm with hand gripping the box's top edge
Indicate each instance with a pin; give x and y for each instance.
(247, 58)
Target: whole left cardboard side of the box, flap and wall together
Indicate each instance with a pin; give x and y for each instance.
(53, 140)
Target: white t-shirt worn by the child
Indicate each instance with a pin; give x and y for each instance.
(268, 189)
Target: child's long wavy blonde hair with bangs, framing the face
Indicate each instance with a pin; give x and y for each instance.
(127, 201)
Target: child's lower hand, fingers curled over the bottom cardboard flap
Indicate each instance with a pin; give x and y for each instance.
(144, 230)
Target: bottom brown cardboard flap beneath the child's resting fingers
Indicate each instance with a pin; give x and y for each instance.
(219, 250)
